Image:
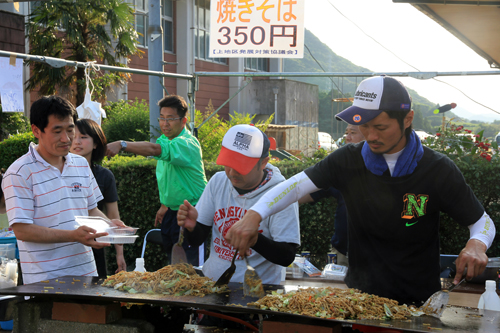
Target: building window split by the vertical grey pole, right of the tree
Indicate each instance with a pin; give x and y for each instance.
(142, 22)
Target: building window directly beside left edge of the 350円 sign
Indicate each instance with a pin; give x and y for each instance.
(202, 31)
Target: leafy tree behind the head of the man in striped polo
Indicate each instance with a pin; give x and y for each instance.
(84, 31)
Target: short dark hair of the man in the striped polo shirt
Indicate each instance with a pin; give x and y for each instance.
(46, 106)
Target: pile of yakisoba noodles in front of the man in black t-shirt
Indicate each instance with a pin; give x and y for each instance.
(335, 303)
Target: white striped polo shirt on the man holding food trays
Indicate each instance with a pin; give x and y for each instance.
(37, 192)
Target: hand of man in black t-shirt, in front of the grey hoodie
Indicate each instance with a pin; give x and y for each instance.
(243, 234)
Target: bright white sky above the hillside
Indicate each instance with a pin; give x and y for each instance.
(414, 38)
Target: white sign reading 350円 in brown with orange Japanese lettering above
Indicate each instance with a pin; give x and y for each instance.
(257, 29)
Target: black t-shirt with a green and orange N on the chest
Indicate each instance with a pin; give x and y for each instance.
(394, 221)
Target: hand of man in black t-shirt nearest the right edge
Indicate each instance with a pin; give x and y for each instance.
(473, 257)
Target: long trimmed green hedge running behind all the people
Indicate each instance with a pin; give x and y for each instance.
(139, 202)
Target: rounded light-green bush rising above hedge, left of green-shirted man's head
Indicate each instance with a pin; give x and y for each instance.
(126, 121)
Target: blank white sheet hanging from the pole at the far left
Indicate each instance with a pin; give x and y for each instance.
(11, 85)
